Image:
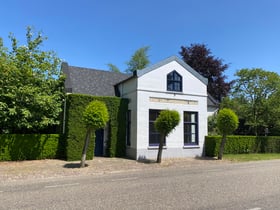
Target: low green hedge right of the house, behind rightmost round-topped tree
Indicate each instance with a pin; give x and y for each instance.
(242, 144)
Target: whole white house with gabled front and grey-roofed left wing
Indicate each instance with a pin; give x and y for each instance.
(169, 84)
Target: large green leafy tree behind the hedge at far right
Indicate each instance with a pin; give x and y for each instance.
(255, 91)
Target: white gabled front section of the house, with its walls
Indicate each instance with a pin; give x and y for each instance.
(147, 90)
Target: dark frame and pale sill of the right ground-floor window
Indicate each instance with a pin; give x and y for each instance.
(189, 132)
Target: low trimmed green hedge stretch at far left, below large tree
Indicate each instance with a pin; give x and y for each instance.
(29, 146)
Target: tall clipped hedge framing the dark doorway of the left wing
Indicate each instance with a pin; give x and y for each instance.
(75, 130)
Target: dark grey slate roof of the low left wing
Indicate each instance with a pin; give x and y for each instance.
(91, 81)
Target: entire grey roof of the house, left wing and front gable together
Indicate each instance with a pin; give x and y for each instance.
(102, 83)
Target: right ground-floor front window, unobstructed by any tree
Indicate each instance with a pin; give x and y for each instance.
(190, 128)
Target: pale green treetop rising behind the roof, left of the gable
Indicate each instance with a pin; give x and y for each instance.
(139, 60)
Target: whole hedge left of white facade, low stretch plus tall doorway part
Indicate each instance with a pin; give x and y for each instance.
(69, 145)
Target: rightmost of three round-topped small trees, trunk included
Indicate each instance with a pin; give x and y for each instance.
(227, 122)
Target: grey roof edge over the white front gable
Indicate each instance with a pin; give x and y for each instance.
(139, 73)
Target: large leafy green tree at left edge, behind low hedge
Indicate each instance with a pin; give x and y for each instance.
(31, 86)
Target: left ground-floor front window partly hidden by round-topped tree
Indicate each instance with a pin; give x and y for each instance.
(154, 136)
